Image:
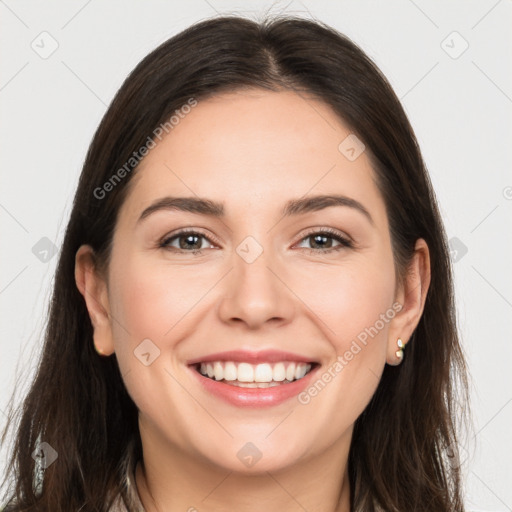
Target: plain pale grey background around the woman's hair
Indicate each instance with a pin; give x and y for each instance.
(459, 102)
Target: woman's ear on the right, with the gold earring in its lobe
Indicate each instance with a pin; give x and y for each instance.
(411, 295)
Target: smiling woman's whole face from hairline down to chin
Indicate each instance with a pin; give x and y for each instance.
(266, 284)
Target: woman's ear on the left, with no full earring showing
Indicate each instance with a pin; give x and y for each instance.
(94, 290)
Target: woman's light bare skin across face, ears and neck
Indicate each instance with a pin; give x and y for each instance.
(253, 151)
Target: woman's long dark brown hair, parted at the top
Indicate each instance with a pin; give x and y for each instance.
(78, 403)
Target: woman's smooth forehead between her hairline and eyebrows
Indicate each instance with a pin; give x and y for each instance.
(253, 149)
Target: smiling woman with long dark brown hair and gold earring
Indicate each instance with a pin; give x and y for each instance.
(253, 306)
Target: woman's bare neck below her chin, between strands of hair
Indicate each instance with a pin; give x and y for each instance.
(170, 480)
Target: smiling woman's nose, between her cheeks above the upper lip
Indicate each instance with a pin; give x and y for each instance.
(256, 294)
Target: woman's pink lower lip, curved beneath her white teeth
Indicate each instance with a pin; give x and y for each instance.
(254, 397)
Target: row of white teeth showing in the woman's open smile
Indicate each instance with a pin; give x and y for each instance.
(259, 375)
